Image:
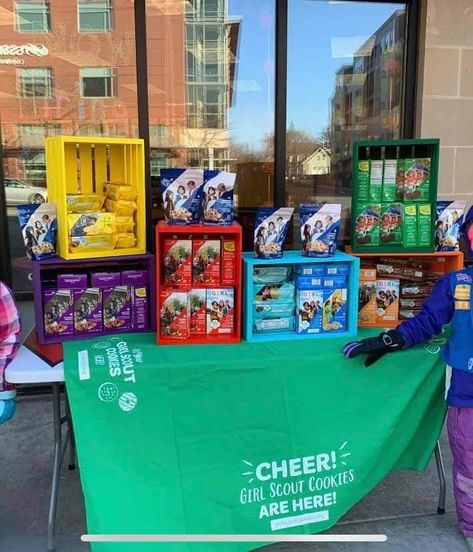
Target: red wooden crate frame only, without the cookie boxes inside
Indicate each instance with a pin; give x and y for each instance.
(199, 231)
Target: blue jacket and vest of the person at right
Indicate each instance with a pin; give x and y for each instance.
(442, 307)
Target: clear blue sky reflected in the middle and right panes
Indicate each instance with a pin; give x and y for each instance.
(321, 37)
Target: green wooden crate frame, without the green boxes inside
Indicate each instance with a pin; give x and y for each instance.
(395, 149)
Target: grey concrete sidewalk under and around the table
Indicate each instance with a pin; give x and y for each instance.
(408, 499)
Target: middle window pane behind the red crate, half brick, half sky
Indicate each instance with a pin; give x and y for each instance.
(211, 84)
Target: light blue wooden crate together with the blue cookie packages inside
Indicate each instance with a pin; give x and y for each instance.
(324, 292)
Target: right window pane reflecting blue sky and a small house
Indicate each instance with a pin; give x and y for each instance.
(344, 83)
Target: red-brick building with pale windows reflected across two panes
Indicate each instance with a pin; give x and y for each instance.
(69, 67)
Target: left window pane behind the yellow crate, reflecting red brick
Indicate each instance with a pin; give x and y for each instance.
(71, 83)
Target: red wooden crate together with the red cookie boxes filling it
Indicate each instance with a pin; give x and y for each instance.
(198, 284)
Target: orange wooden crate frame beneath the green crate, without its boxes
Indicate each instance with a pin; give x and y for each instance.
(440, 261)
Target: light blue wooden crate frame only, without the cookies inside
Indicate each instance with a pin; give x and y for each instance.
(293, 258)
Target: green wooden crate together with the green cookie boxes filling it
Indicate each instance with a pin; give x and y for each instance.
(394, 195)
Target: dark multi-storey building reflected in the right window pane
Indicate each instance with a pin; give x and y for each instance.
(366, 103)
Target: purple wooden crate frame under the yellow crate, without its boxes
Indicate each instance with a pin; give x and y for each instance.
(144, 262)
